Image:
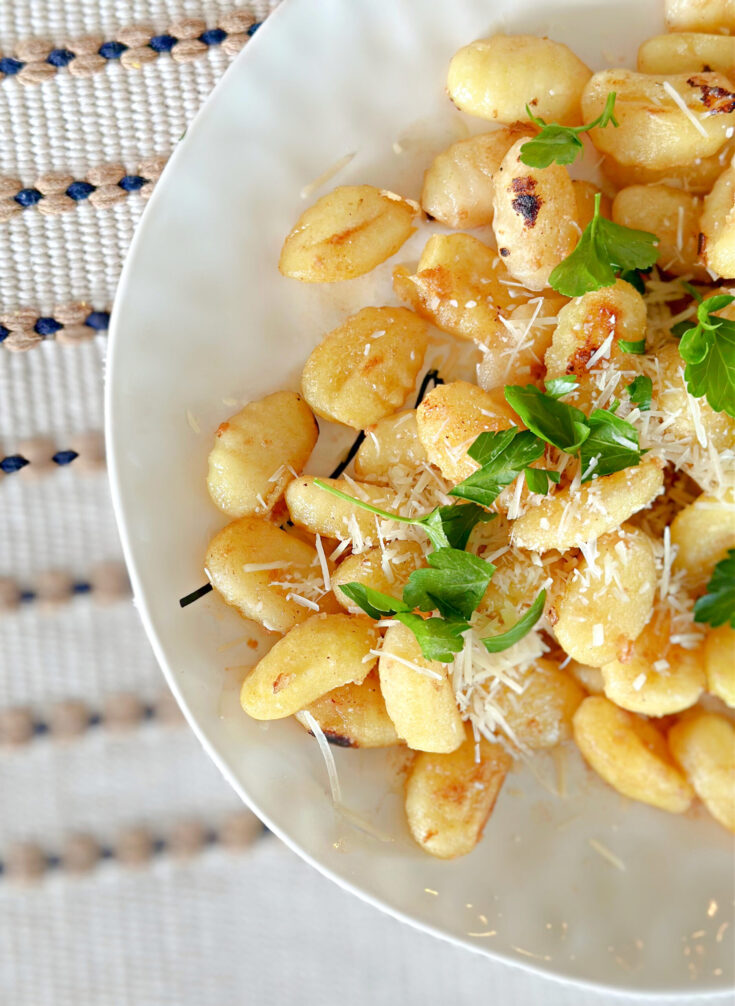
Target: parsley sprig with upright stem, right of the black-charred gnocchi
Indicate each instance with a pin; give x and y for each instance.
(605, 250)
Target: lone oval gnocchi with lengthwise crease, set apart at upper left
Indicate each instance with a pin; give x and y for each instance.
(347, 234)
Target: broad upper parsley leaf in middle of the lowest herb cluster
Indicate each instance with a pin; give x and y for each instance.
(454, 585)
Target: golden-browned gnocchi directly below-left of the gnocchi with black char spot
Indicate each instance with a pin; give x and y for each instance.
(458, 286)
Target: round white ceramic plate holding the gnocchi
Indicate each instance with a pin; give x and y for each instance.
(205, 320)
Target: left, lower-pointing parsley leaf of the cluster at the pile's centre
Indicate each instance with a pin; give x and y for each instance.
(503, 457)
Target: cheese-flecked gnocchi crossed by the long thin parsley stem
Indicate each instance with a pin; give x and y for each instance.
(322, 514)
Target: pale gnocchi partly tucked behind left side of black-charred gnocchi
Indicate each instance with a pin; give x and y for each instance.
(458, 187)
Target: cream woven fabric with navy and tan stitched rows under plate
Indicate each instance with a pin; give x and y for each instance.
(148, 927)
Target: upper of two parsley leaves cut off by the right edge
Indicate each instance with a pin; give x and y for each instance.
(708, 350)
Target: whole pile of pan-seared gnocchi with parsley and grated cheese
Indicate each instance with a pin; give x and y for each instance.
(542, 549)
